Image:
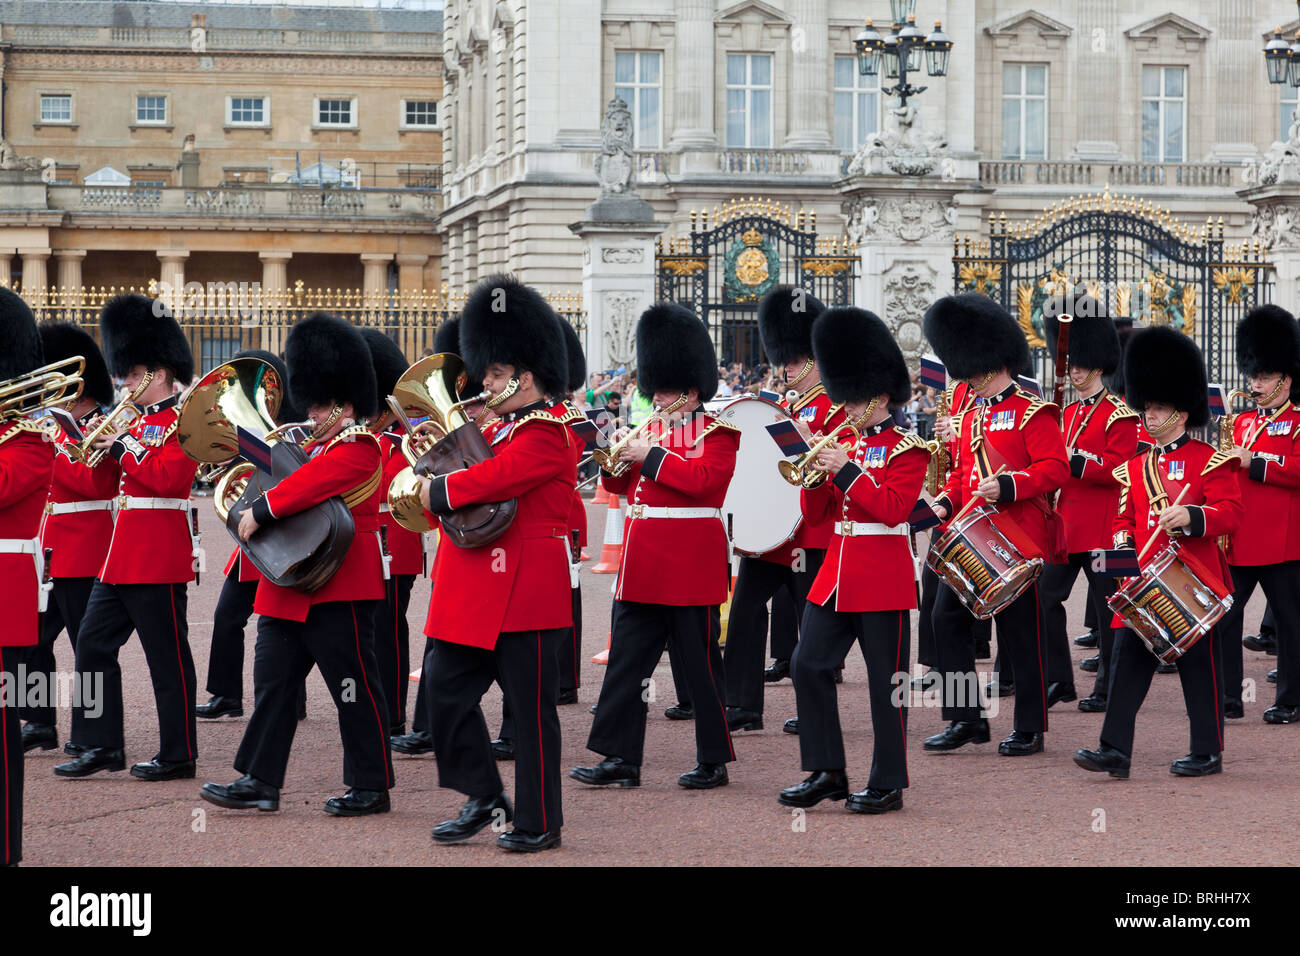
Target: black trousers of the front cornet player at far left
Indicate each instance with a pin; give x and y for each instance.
(157, 612)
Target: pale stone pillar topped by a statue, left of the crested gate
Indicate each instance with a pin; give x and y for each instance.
(618, 287)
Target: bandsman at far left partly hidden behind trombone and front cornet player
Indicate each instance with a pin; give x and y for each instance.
(77, 525)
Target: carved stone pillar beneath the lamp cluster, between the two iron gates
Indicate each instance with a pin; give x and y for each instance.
(904, 228)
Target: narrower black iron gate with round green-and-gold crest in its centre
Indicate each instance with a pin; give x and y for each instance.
(736, 254)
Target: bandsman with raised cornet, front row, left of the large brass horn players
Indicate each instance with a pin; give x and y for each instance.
(153, 556)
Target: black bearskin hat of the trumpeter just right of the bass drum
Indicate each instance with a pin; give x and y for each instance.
(859, 358)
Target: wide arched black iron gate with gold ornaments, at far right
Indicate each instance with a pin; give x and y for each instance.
(1132, 256)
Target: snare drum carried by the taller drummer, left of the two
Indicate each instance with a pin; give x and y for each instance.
(980, 560)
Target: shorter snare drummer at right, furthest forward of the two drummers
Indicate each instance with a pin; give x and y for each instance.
(1165, 380)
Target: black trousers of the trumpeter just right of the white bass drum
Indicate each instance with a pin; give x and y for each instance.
(826, 637)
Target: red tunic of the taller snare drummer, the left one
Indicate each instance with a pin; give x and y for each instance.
(1022, 436)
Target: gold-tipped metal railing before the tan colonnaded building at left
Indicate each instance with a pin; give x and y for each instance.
(223, 322)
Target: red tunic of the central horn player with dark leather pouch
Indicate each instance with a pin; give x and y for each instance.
(521, 582)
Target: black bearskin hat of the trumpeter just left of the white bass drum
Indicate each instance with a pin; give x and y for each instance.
(675, 353)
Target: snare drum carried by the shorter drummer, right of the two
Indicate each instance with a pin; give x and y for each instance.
(1172, 605)
